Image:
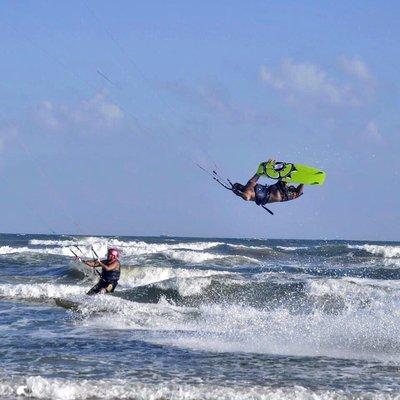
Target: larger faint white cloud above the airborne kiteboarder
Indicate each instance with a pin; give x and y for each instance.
(301, 82)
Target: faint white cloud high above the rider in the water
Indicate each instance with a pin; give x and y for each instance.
(96, 112)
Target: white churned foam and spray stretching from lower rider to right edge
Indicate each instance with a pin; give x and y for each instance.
(361, 329)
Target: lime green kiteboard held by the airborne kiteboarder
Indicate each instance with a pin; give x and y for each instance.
(291, 173)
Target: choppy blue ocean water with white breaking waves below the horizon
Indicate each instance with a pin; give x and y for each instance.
(201, 319)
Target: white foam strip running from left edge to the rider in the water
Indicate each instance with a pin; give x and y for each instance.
(39, 291)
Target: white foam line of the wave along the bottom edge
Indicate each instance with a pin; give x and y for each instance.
(38, 387)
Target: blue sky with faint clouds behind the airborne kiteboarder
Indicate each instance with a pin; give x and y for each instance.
(106, 106)
